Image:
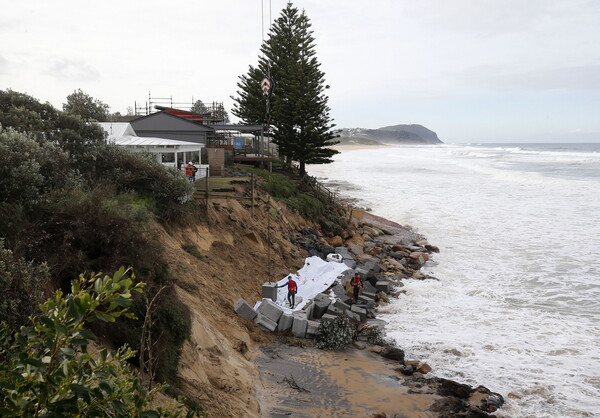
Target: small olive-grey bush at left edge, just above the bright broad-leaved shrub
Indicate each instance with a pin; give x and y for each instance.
(23, 286)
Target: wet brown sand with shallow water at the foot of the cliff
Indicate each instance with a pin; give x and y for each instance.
(349, 383)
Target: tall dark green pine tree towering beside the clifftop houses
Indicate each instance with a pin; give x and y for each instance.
(299, 114)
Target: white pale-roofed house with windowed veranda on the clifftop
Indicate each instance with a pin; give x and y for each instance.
(166, 151)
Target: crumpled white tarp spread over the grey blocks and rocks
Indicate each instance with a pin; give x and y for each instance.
(315, 277)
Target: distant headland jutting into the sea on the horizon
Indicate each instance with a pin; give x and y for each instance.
(396, 134)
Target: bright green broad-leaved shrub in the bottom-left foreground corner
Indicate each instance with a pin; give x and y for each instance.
(50, 370)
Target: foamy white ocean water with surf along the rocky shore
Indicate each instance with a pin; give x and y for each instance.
(517, 304)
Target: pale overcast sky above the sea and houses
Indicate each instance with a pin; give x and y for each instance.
(470, 70)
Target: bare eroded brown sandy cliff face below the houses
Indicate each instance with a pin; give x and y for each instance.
(216, 367)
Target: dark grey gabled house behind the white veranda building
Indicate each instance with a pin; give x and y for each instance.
(166, 125)
